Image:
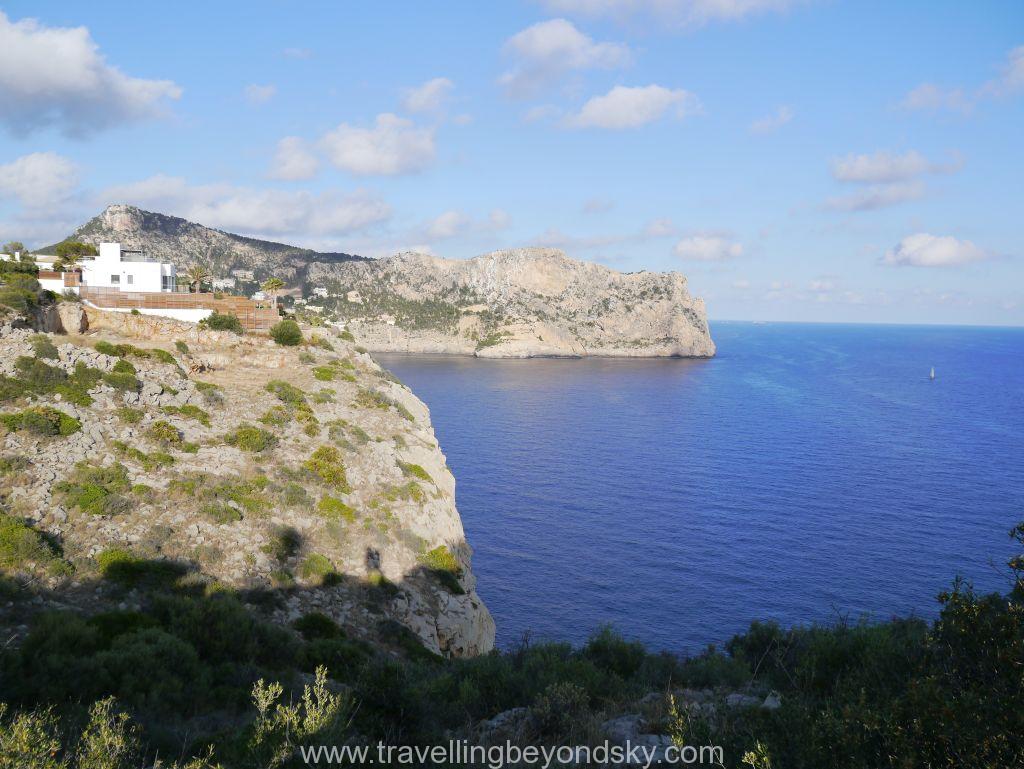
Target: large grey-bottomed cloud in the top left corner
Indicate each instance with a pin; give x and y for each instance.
(54, 76)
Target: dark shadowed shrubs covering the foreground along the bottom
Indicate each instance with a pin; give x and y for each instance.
(855, 695)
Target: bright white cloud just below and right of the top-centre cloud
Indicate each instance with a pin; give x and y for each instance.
(631, 108)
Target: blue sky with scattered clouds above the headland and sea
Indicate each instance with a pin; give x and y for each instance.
(803, 161)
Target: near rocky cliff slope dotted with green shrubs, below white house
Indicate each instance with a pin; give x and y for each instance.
(344, 504)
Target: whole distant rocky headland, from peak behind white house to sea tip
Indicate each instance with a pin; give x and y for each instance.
(517, 304)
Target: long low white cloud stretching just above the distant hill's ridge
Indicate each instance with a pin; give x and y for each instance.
(251, 211)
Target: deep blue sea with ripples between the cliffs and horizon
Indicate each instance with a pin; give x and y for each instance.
(808, 473)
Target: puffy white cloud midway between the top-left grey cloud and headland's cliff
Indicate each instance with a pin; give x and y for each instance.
(395, 146)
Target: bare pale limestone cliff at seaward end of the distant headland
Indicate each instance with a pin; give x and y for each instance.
(518, 304)
